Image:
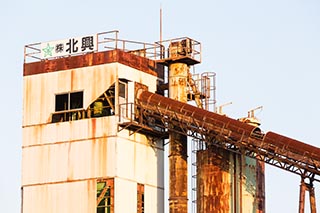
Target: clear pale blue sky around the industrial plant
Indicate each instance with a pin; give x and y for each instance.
(263, 52)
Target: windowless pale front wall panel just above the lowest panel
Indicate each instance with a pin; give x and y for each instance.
(63, 162)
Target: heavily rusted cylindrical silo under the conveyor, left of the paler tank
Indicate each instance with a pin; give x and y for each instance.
(214, 181)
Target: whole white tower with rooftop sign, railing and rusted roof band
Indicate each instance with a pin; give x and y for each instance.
(76, 156)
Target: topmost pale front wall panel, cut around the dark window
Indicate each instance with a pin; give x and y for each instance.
(39, 90)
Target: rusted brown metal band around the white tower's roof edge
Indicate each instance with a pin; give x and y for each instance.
(91, 59)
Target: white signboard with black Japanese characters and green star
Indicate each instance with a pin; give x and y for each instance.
(71, 46)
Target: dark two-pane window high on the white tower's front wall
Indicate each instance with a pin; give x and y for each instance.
(67, 106)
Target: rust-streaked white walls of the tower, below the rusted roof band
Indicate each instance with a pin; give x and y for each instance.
(62, 161)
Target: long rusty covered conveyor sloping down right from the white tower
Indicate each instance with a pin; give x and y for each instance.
(233, 135)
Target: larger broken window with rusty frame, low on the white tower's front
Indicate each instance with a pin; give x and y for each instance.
(105, 196)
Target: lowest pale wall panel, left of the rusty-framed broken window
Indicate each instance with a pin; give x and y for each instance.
(77, 197)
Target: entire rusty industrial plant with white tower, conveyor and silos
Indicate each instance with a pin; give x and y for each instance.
(98, 112)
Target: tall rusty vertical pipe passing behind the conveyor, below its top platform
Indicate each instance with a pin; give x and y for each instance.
(178, 164)
